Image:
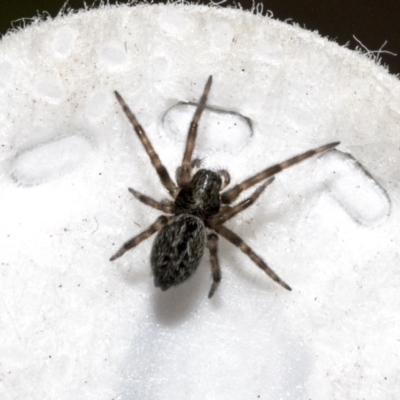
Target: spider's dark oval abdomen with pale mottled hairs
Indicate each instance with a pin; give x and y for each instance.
(177, 251)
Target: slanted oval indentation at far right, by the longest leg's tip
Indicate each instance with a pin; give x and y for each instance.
(355, 188)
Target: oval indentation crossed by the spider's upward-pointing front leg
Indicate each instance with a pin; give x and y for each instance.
(218, 130)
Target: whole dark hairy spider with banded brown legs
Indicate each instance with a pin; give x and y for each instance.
(197, 214)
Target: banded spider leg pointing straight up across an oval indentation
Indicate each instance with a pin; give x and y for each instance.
(185, 172)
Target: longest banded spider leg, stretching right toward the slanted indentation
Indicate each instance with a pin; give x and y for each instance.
(231, 194)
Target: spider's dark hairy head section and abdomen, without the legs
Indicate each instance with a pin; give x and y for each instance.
(179, 246)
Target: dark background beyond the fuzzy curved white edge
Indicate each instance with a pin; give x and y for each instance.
(372, 21)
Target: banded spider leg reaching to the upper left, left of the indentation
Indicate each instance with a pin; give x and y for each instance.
(155, 160)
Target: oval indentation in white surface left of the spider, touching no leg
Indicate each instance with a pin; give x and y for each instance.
(49, 160)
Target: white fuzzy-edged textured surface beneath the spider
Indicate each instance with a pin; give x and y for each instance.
(75, 326)
